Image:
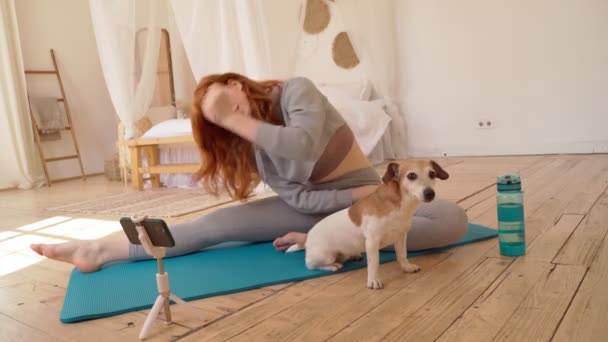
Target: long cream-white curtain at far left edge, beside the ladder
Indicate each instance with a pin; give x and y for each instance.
(19, 158)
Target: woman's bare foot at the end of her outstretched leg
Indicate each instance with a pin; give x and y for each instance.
(84, 255)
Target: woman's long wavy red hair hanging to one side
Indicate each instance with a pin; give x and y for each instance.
(226, 158)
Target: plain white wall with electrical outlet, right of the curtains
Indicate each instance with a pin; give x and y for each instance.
(538, 69)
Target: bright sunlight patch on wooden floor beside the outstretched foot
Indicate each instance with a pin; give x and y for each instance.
(15, 252)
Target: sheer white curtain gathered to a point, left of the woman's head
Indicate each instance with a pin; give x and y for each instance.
(115, 27)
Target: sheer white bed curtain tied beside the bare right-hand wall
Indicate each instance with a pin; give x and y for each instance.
(372, 29)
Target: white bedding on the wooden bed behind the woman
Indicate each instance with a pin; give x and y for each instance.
(377, 125)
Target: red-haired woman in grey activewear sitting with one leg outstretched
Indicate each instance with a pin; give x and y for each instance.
(287, 134)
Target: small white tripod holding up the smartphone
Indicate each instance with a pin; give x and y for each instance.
(162, 279)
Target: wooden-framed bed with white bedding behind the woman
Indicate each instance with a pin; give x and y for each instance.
(167, 156)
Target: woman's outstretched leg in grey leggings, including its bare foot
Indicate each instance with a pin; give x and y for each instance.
(260, 220)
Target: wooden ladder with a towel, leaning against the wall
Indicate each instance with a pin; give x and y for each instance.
(70, 126)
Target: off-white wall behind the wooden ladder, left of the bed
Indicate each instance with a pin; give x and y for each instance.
(65, 26)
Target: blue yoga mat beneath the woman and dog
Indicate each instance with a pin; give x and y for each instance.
(131, 286)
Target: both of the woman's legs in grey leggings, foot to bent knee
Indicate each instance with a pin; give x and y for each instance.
(435, 224)
